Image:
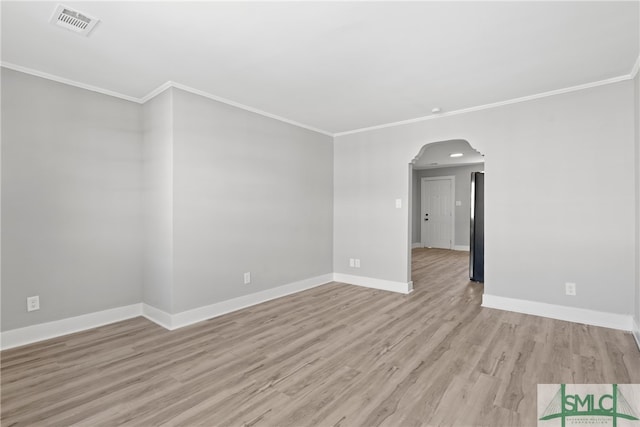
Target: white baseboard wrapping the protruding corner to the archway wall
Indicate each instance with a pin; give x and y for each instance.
(189, 317)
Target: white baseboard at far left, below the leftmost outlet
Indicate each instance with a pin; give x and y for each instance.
(43, 331)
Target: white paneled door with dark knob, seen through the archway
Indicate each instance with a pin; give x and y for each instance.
(437, 212)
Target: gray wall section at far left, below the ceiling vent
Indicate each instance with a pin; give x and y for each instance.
(71, 206)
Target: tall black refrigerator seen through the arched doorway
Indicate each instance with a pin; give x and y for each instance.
(476, 243)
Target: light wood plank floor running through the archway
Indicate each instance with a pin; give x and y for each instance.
(336, 355)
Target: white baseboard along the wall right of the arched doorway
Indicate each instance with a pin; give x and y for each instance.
(571, 314)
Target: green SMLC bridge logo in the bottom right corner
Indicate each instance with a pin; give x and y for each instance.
(613, 405)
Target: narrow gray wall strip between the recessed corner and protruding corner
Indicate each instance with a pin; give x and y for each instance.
(157, 196)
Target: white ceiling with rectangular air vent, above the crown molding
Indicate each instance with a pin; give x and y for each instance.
(334, 66)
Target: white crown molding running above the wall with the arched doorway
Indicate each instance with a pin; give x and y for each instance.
(489, 106)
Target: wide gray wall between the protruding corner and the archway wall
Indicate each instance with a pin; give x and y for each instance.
(251, 194)
